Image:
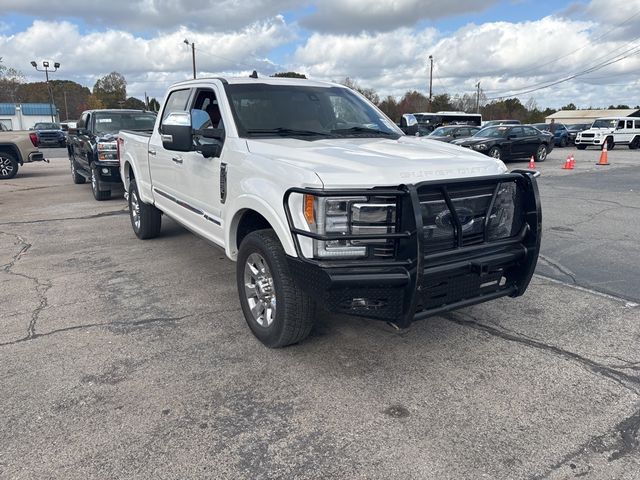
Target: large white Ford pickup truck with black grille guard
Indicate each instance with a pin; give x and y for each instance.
(322, 201)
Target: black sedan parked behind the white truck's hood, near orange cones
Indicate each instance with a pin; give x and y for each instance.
(510, 141)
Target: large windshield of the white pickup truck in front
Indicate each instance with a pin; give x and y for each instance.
(308, 112)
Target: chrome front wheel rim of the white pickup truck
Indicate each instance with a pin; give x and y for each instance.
(259, 290)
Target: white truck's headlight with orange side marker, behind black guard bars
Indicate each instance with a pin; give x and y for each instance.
(348, 216)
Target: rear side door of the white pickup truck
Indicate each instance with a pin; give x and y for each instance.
(166, 167)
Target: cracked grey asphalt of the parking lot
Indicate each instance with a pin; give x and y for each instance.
(129, 359)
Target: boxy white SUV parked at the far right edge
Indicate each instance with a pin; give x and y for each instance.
(612, 131)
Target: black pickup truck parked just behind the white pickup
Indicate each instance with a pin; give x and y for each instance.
(92, 146)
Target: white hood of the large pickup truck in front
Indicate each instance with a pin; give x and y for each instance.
(363, 162)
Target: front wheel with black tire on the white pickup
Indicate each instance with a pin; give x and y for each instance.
(261, 258)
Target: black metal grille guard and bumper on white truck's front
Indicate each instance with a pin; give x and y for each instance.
(422, 279)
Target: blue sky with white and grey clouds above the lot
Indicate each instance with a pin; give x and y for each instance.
(508, 46)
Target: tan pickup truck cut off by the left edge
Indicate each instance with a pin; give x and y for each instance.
(16, 149)
